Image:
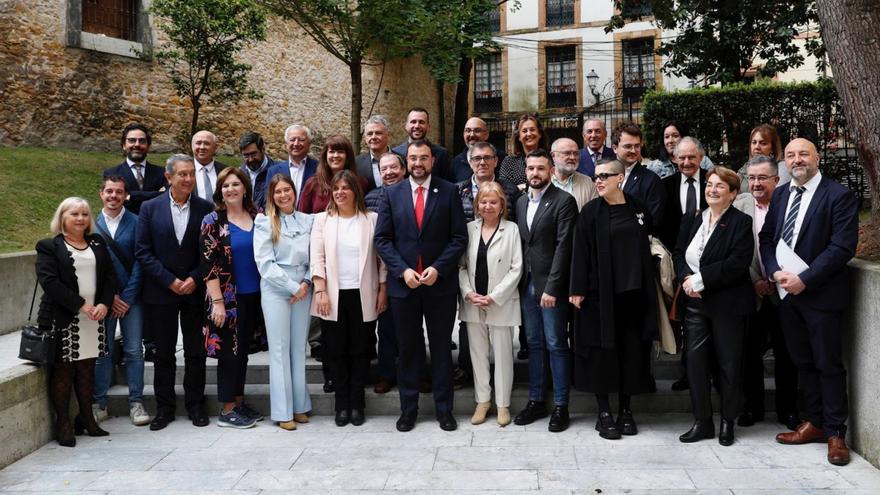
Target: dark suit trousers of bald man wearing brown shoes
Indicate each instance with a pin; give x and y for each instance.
(813, 338)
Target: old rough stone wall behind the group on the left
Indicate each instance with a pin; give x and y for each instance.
(55, 95)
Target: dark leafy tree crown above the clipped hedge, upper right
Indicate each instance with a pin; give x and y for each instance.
(719, 41)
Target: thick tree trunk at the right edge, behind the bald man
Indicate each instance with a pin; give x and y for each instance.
(849, 30)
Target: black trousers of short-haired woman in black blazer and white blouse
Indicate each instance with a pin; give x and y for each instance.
(721, 337)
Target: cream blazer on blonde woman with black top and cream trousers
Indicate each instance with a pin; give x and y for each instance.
(504, 261)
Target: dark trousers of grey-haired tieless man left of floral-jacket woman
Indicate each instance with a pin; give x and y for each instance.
(163, 320)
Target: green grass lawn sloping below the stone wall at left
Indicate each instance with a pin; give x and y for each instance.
(33, 181)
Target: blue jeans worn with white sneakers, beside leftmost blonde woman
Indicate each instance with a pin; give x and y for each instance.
(133, 351)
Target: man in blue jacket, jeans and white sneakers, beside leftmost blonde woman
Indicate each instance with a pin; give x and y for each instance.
(117, 225)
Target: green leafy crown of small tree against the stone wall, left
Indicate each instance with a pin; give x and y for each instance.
(204, 38)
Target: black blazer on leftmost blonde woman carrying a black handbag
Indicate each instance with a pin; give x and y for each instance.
(60, 301)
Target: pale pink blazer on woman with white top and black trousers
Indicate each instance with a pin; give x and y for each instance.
(324, 263)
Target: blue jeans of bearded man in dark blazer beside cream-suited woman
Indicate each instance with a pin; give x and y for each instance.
(545, 329)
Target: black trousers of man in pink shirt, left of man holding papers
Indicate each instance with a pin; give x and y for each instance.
(763, 326)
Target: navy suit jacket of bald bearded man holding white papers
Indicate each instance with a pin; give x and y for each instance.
(826, 242)
